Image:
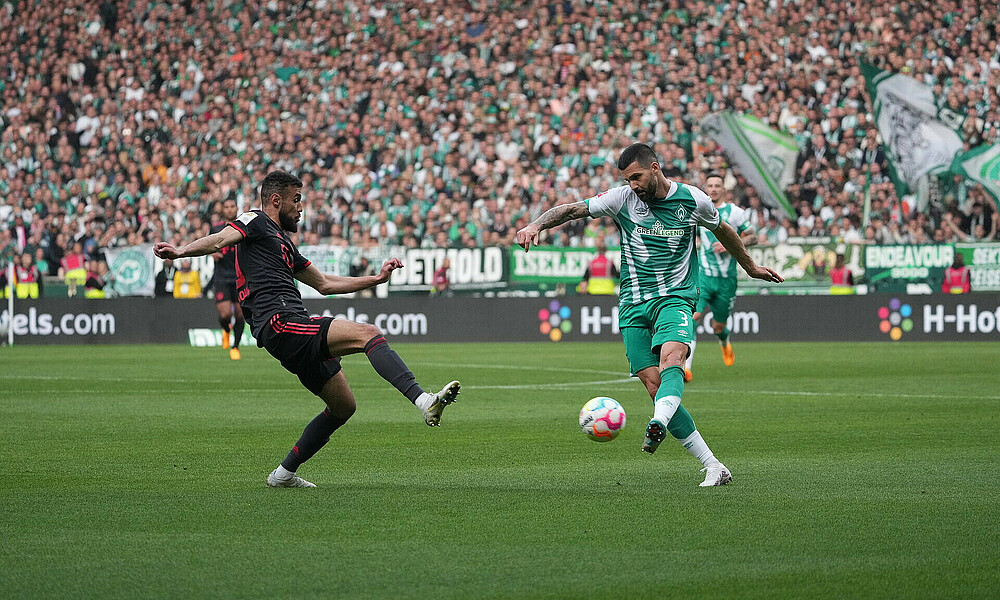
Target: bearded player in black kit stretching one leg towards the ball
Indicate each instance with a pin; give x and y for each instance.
(267, 263)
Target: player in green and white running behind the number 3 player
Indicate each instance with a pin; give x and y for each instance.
(717, 270)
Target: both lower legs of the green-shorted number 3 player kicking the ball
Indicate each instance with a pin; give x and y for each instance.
(666, 385)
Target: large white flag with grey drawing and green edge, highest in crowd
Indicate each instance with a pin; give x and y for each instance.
(919, 136)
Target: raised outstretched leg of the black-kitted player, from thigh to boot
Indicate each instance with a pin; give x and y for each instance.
(347, 337)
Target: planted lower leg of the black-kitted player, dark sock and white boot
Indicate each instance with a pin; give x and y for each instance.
(340, 406)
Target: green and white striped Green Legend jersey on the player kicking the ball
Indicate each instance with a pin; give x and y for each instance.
(657, 239)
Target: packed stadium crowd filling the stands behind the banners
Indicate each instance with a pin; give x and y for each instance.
(428, 123)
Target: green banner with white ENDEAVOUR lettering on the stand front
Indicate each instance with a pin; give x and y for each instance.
(899, 268)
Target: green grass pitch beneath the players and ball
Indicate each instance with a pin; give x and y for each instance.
(861, 471)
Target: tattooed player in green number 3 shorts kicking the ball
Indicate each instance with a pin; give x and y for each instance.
(658, 220)
